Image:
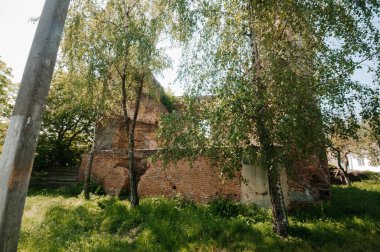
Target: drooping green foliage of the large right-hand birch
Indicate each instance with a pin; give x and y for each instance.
(288, 64)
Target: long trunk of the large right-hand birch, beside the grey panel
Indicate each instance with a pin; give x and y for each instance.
(263, 126)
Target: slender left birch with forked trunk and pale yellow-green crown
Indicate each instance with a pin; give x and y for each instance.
(120, 38)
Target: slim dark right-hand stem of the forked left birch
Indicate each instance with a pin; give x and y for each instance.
(131, 148)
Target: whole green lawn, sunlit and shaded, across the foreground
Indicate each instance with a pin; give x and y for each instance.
(57, 221)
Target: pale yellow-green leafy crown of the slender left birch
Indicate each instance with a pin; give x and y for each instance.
(116, 41)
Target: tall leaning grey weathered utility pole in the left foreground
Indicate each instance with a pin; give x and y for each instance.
(21, 140)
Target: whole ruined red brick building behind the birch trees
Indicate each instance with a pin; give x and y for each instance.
(110, 169)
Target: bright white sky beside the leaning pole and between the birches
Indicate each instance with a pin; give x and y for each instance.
(17, 32)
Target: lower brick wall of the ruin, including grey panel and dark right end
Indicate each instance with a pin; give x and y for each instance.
(201, 181)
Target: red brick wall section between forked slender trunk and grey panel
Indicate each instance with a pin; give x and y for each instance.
(199, 181)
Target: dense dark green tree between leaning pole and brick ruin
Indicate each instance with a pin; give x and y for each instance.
(67, 124)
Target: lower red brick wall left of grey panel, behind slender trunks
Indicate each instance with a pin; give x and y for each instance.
(199, 181)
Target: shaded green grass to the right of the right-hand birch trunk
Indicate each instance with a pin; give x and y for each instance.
(349, 222)
